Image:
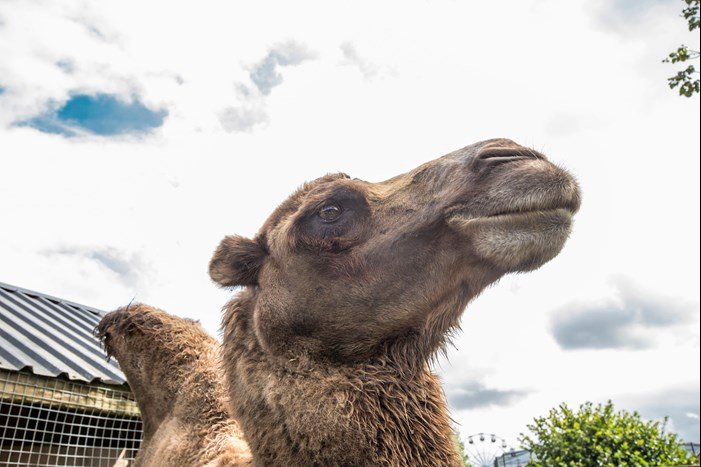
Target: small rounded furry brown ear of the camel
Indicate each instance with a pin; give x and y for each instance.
(236, 261)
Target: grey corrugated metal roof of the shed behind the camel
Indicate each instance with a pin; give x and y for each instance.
(50, 336)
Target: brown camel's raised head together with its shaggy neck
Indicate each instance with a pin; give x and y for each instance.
(352, 287)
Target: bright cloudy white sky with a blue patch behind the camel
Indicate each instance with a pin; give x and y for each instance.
(135, 135)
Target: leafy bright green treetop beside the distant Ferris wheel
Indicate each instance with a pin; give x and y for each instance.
(598, 436)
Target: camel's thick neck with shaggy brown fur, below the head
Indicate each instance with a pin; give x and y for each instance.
(298, 412)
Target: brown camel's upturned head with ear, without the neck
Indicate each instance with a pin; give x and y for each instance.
(348, 271)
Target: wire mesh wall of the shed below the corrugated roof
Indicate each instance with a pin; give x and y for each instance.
(56, 422)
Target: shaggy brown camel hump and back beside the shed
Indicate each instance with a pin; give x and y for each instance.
(172, 367)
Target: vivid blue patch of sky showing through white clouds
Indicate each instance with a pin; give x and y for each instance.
(101, 114)
